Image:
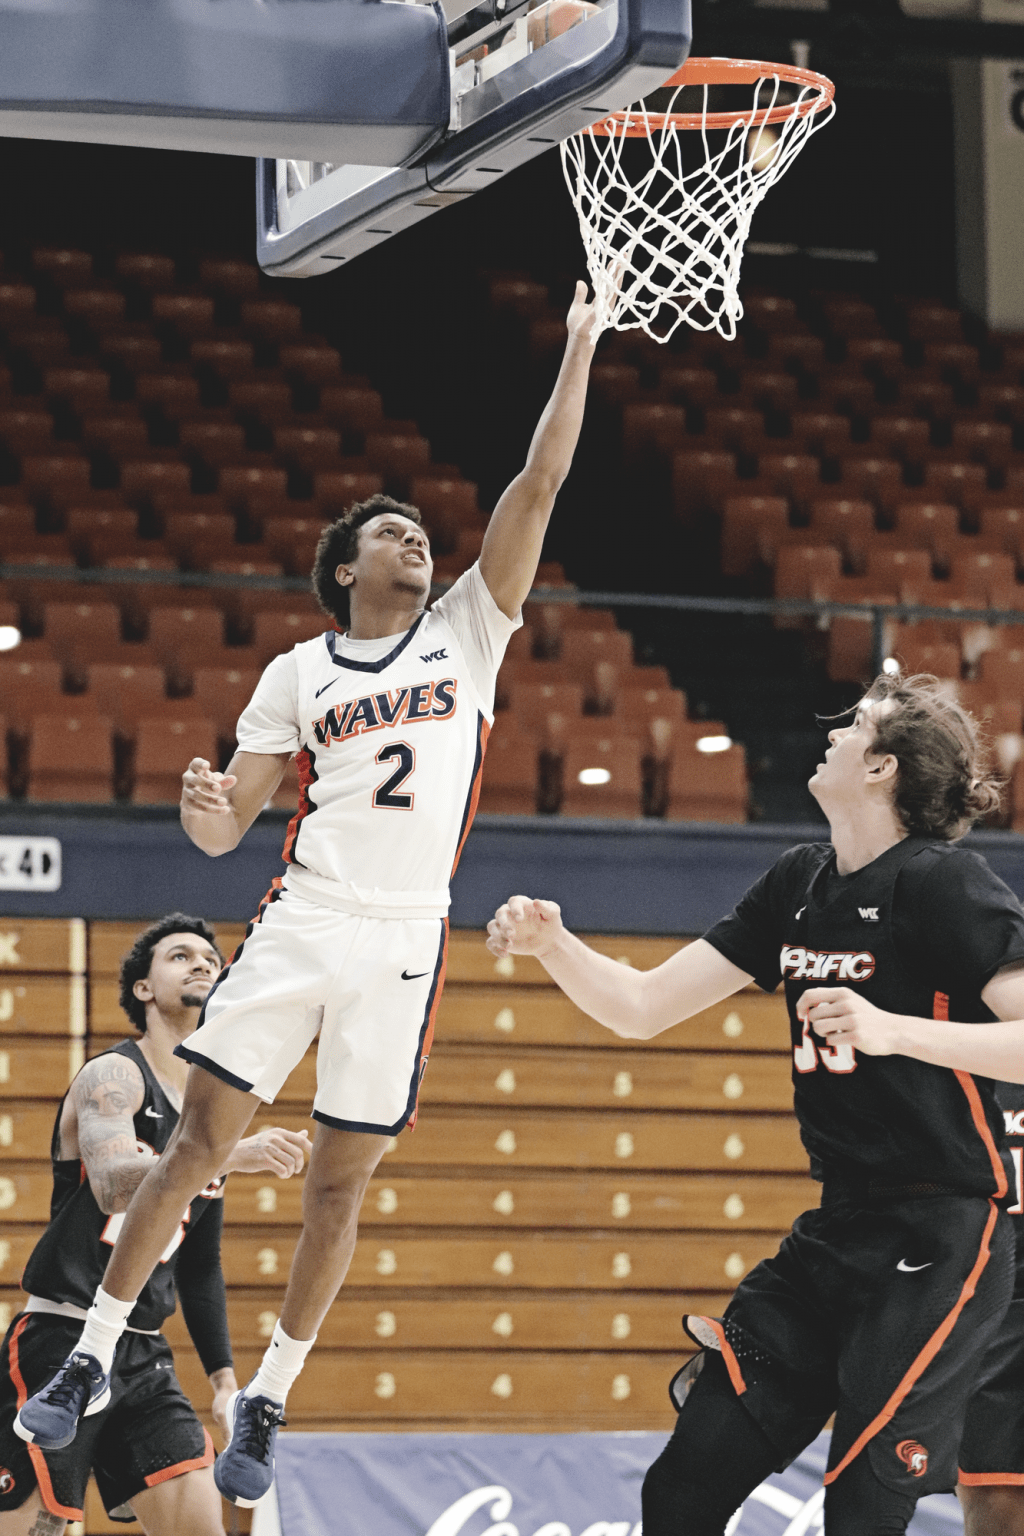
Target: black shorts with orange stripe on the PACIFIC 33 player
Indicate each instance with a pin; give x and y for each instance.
(880, 1314)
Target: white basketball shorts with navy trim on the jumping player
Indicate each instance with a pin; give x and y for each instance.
(369, 985)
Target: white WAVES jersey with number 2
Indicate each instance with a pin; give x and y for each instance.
(391, 761)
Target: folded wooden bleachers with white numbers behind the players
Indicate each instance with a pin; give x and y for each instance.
(527, 1253)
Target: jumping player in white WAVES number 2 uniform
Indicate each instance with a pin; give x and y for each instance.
(389, 723)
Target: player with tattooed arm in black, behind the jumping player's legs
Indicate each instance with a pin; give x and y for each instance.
(150, 1452)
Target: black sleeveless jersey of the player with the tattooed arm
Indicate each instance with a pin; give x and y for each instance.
(68, 1262)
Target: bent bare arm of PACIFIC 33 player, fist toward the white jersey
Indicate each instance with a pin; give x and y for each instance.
(633, 1004)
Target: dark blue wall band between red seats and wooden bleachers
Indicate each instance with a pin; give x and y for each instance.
(615, 878)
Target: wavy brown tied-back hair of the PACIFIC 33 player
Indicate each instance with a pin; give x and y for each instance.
(945, 783)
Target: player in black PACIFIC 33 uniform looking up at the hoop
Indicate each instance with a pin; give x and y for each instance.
(882, 1303)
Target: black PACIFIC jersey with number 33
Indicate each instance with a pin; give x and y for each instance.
(890, 1121)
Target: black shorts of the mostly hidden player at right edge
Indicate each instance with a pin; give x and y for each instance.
(993, 1449)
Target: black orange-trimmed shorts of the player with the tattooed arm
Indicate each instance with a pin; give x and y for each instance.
(148, 1434)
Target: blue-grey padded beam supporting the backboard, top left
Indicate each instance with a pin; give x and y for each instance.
(343, 81)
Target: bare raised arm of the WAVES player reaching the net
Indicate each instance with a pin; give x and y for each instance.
(515, 535)
